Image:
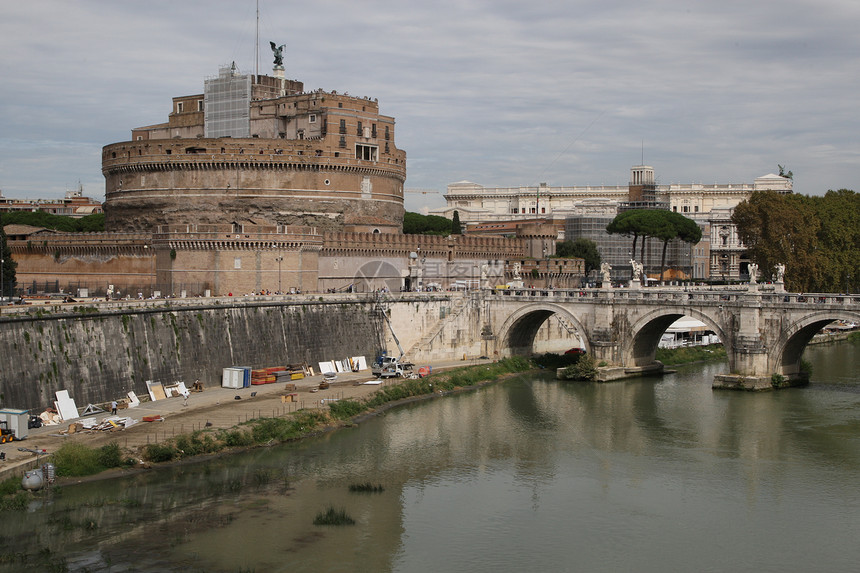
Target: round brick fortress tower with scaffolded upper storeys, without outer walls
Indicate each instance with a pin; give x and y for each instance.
(259, 152)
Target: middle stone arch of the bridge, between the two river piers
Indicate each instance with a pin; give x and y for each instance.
(640, 348)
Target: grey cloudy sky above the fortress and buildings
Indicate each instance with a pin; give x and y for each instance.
(499, 92)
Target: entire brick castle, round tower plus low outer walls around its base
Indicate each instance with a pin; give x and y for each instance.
(259, 186)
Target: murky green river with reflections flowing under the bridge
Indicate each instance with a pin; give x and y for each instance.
(531, 474)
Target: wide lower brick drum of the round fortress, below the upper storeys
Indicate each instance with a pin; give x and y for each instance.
(224, 180)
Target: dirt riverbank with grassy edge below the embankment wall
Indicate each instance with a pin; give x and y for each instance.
(220, 419)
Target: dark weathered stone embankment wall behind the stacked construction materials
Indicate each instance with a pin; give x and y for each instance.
(99, 354)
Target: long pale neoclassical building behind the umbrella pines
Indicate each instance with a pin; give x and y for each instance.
(586, 210)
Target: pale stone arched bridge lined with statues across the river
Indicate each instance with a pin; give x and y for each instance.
(764, 332)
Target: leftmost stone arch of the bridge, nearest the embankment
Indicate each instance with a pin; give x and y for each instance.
(517, 334)
